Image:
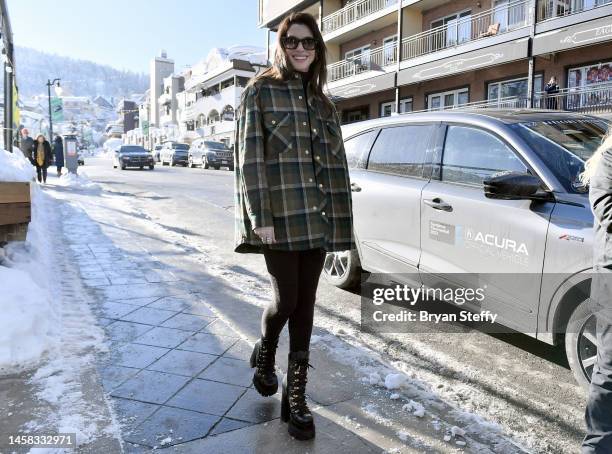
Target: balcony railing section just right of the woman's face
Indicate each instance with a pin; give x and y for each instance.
(371, 60)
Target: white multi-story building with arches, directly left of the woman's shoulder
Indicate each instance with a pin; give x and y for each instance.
(210, 99)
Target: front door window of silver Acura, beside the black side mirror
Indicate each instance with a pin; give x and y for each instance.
(472, 155)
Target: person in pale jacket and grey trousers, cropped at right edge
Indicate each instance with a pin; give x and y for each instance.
(598, 415)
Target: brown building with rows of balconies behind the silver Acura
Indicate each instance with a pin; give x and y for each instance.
(392, 55)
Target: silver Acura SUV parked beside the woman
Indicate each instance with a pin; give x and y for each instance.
(492, 194)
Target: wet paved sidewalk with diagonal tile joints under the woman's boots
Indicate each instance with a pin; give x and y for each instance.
(176, 373)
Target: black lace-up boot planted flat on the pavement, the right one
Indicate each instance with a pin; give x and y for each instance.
(293, 406)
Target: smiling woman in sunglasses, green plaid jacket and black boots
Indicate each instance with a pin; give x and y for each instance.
(293, 201)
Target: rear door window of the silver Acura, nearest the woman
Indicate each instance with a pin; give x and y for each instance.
(401, 150)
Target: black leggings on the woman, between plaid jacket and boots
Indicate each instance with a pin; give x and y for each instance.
(295, 277)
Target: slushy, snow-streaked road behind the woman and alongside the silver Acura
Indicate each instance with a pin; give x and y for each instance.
(523, 385)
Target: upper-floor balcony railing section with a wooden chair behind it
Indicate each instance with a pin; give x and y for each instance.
(495, 21)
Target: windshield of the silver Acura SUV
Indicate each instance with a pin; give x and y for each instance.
(564, 146)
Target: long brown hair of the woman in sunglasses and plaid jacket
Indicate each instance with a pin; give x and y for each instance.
(282, 69)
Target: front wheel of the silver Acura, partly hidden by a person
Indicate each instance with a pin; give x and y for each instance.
(581, 343)
